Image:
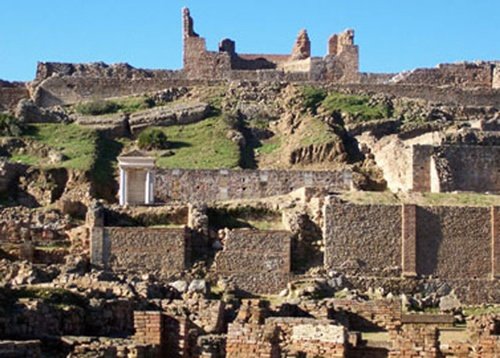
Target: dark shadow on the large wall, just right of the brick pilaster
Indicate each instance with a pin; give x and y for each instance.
(429, 239)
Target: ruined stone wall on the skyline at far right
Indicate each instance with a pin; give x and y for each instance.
(458, 75)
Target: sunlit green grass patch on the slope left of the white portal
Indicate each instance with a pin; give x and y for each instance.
(78, 144)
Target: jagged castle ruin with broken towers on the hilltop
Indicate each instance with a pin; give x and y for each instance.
(341, 64)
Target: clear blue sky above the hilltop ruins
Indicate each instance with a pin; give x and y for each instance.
(393, 35)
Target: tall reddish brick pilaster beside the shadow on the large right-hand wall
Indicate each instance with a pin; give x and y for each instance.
(409, 240)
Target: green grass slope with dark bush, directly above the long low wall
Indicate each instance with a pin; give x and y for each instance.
(201, 145)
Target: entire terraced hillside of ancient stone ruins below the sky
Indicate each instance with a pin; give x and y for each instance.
(251, 205)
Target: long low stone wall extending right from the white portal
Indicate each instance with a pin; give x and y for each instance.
(212, 185)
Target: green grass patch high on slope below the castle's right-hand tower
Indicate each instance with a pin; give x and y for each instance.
(356, 105)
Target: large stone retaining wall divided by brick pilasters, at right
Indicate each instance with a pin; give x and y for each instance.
(446, 242)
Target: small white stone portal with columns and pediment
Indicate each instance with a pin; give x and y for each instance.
(136, 178)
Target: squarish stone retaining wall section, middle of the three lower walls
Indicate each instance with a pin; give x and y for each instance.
(256, 261)
